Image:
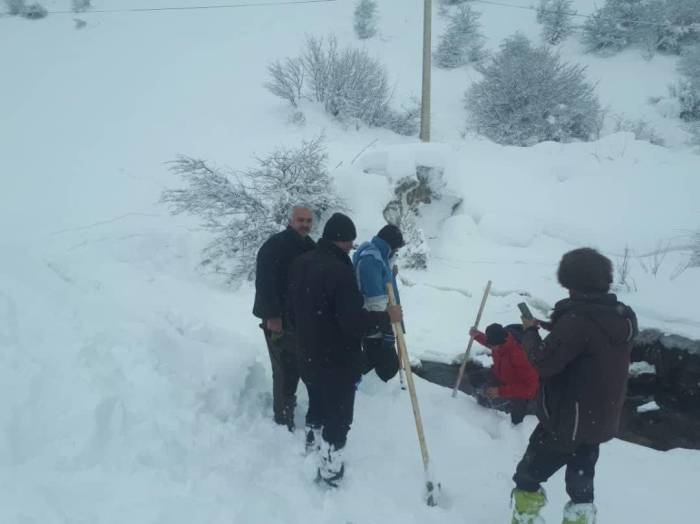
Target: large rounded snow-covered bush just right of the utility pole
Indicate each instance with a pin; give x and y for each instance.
(527, 95)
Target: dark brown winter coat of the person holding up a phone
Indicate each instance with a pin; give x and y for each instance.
(583, 366)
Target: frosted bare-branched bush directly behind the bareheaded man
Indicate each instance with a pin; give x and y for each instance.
(242, 209)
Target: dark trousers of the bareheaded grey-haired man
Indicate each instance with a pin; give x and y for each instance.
(285, 375)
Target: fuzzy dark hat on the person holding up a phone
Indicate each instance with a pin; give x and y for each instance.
(585, 270)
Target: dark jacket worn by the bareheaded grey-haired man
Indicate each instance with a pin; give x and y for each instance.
(272, 271)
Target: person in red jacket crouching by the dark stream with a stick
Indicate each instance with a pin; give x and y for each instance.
(516, 380)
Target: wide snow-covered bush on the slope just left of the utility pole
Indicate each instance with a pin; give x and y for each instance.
(349, 84)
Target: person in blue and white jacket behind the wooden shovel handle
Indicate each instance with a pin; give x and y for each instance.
(374, 270)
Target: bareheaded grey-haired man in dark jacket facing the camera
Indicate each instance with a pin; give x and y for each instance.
(271, 279)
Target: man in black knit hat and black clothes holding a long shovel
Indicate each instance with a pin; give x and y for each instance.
(326, 309)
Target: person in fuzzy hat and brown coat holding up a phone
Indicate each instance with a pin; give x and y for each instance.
(583, 365)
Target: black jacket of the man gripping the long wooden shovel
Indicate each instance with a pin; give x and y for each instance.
(326, 311)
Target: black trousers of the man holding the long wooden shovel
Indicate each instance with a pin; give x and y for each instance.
(331, 403)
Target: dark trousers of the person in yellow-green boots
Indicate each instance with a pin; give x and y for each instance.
(546, 454)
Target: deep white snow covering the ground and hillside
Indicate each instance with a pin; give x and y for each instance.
(136, 389)
